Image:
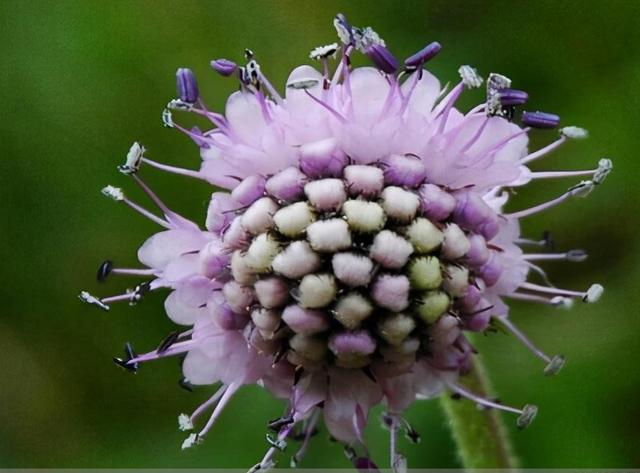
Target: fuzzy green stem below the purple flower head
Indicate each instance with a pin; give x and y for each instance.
(480, 435)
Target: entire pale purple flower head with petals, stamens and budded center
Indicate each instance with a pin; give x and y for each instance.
(361, 234)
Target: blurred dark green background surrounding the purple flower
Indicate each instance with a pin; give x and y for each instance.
(81, 80)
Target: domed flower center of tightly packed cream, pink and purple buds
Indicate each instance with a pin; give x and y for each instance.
(348, 265)
